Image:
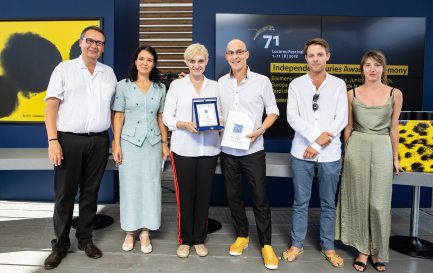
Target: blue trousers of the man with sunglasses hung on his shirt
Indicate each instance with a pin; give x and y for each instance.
(328, 174)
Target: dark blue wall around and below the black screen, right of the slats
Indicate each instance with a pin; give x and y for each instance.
(204, 32)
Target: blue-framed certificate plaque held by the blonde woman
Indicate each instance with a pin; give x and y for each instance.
(205, 113)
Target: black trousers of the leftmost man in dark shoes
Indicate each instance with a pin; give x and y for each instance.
(85, 159)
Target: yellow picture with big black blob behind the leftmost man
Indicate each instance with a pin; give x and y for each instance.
(29, 52)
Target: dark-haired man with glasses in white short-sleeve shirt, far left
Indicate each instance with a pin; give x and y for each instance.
(77, 118)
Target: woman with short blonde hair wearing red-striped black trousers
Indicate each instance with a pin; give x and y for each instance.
(193, 154)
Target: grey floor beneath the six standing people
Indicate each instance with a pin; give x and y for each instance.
(26, 230)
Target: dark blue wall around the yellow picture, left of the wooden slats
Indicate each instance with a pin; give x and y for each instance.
(121, 26)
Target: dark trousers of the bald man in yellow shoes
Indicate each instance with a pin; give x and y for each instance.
(253, 166)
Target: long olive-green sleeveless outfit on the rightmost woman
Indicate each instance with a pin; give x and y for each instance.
(364, 202)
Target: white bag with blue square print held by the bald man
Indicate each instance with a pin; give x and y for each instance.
(237, 126)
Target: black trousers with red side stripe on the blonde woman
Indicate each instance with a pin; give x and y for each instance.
(193, 178)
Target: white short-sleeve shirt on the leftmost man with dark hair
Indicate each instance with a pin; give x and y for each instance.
(85, 99)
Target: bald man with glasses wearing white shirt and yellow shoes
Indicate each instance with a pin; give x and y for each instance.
(245, 91)
